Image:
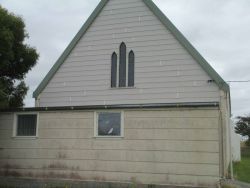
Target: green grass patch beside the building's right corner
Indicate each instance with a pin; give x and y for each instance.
(242, 169)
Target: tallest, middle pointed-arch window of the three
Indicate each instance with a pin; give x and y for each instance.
(122, 65)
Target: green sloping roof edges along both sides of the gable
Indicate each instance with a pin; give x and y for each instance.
(165, 21)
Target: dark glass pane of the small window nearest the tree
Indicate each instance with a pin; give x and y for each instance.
(26, 125)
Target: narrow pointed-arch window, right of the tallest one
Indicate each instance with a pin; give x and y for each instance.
(131, 69)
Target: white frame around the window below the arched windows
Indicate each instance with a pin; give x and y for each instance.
(96, 123)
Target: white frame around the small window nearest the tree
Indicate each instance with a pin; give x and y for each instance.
(14, 135)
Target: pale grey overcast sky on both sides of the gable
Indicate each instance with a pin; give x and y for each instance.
(219, 29)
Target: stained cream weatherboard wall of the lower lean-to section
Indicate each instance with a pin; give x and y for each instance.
(168, 146)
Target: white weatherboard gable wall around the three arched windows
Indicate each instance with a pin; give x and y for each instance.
(164, 71)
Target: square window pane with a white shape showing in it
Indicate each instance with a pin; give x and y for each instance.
(109, 124)
